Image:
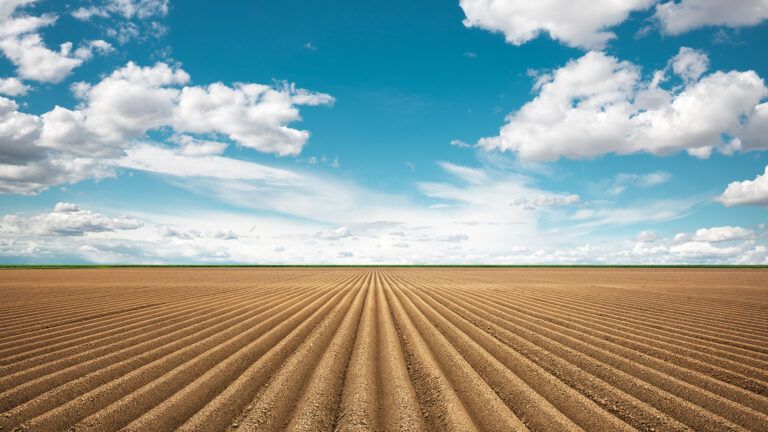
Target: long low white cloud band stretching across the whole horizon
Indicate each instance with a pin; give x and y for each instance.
(420, 238)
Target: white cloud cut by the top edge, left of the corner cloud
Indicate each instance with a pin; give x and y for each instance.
(577, 23)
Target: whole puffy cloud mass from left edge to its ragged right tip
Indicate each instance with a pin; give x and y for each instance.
(69, 145)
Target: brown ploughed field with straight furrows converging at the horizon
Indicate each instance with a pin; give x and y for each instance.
(390, 349)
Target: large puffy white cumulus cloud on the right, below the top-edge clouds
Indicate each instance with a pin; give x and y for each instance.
(598, 105)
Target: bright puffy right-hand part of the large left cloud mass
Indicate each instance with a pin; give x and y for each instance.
(133, 100)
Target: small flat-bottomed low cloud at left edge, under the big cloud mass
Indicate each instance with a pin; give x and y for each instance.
(67, 219)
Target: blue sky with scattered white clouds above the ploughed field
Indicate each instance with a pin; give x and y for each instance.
(397, 132)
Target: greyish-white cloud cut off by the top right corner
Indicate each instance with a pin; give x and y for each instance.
(677, 17)
